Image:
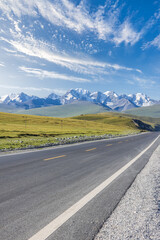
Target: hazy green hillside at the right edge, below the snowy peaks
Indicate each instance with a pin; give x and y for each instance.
(152, 111)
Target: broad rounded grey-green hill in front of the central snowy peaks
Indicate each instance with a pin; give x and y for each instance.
(67, 110)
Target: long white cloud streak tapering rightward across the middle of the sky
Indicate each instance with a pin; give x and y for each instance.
(35, 48)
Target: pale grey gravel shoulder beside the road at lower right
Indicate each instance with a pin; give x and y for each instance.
(137, 216)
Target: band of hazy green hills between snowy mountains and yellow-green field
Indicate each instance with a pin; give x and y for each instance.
(147, 114)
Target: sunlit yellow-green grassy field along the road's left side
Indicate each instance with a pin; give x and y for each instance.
(17, 131)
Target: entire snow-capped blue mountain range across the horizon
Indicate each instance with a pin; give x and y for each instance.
(109, 99)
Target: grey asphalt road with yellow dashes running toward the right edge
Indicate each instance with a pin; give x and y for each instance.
(38, 186)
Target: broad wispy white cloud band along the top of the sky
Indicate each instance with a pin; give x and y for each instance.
(104, 22)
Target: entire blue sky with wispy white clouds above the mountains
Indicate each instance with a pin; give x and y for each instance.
(54, 45)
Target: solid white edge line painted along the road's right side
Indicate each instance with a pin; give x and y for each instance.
(61, 219)
